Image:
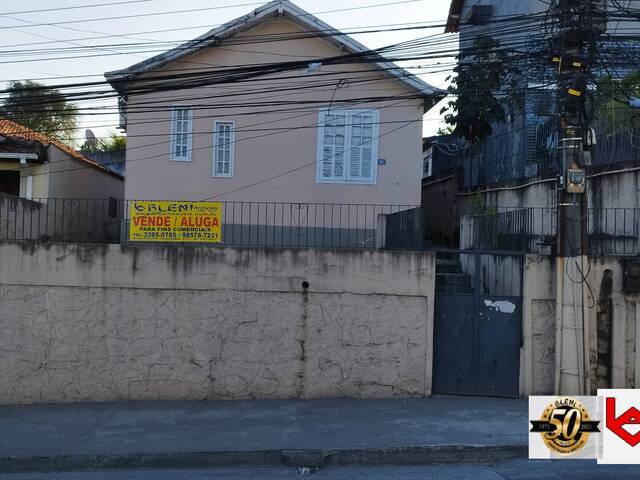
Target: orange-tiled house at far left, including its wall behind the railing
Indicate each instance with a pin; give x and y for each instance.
(50, 192)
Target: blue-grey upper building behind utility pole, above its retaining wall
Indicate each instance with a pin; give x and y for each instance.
(524, 146)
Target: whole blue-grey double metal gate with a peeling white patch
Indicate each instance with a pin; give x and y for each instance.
(478, 324)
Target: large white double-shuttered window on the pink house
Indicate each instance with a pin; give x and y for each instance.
(347, 146)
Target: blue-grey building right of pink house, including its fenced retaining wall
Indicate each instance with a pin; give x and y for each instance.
(501, 192)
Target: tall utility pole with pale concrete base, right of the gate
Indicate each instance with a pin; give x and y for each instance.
(571, 332)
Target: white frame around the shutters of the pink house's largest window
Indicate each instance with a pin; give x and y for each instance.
(346, 177)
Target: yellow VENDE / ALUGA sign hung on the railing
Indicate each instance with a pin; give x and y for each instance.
(175, 222)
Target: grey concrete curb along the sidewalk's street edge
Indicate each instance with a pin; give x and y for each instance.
(315, 458)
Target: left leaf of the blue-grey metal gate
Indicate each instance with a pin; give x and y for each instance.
(453, 344)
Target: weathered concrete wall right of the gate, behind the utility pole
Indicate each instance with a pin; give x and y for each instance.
(613, 322)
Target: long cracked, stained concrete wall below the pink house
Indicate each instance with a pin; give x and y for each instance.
(107, 323)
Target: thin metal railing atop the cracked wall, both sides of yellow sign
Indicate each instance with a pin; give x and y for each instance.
(252, 224)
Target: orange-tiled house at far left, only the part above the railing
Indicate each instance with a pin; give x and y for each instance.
(35, 166)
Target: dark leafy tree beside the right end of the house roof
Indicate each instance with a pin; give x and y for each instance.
(484, 86)
